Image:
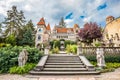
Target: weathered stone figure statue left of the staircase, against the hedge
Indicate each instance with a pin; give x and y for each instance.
(23, 57)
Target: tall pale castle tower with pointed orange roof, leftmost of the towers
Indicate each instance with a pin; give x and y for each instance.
(41, 28)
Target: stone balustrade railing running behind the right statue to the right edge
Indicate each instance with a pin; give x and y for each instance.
(107, 50)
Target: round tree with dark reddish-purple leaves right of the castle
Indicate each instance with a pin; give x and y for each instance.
(89, 32)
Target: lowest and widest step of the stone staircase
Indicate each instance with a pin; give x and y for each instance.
(64, 73)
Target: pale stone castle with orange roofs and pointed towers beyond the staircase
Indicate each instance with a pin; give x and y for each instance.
(45, 34)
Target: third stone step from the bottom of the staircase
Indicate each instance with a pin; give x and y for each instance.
(64, 66)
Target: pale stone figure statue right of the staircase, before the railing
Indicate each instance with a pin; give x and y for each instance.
(100, 58)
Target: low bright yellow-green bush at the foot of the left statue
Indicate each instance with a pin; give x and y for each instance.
(22, 70)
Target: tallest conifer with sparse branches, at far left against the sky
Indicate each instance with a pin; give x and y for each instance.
(14, 21)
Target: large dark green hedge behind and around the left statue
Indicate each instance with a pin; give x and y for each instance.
(9, 56)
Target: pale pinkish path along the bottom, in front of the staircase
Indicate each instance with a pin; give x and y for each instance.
(105, 76)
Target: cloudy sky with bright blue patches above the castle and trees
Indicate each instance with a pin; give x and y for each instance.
(73, 11)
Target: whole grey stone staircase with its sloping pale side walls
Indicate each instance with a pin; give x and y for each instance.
(63, 65)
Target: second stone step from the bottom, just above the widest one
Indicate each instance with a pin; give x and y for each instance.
(65, 69)
